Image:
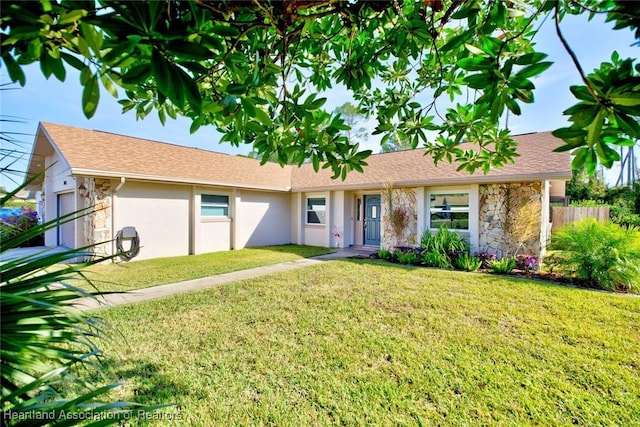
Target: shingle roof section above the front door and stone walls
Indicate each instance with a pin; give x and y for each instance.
(537, 161)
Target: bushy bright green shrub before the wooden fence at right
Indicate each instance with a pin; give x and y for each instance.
(603, 254)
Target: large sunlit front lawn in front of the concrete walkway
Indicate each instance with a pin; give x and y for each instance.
(357, 342)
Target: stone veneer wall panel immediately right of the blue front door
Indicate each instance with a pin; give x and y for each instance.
(405, 198)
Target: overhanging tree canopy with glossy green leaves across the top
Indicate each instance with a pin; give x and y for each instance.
(254, 69)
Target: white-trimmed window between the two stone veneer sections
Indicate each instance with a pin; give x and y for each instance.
(450, 209)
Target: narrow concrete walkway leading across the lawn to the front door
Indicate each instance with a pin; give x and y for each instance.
(112, 300)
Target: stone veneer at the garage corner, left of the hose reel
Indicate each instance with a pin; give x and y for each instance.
(96, 193)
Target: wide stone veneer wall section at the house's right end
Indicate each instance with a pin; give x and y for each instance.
(500, 203)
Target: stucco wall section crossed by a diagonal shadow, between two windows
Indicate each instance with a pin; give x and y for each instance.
(262, 219)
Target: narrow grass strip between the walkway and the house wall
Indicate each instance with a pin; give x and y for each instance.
(132, 275)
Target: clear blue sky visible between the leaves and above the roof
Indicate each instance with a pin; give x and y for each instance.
(53, 101)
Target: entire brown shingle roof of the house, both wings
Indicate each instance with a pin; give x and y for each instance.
(96, 153)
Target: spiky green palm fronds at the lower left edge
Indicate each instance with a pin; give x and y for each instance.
(45, 341)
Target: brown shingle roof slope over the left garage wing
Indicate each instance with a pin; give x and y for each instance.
(91, 152)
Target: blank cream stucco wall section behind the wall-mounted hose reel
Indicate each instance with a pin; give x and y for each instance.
(160, 214)
